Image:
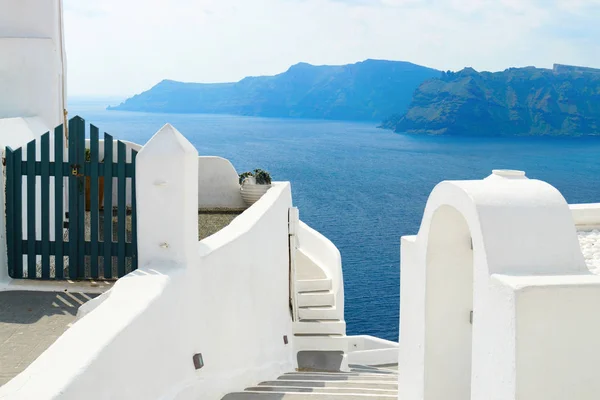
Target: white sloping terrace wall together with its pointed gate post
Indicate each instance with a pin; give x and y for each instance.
(225, 297)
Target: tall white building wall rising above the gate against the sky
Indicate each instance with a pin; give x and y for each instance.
(32, 64)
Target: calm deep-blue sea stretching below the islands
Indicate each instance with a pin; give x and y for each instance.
(364, 187)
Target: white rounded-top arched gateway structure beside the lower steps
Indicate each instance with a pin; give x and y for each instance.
(494, 289)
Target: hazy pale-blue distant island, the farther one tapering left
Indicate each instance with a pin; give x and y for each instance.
(371, 90)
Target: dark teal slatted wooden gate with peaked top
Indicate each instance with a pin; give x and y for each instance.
(72, 205)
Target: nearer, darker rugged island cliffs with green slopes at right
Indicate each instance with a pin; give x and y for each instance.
(564, 100)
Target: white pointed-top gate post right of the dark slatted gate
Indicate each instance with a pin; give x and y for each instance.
(167, 199)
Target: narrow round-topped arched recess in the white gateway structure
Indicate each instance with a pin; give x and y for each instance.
(449, 303)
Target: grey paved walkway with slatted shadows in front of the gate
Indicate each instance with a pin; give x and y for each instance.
(30, 322)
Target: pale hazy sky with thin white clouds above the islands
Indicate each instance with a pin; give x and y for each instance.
(123, 47)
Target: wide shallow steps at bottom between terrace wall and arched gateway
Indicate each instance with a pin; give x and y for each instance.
(361, 382)
